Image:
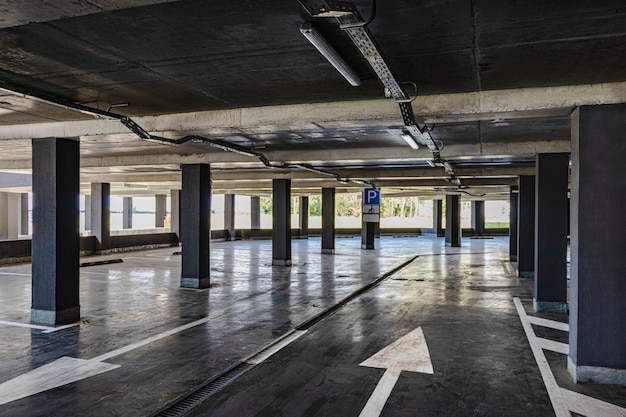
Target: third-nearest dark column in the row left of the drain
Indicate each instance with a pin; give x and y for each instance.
(281, 230)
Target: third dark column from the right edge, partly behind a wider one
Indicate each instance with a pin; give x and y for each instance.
(526, 227)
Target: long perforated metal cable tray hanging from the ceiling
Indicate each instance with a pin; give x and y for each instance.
(352, 23)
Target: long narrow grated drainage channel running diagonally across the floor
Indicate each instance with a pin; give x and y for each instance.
(185, 404)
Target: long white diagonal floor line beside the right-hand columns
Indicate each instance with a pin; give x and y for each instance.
(554, 392)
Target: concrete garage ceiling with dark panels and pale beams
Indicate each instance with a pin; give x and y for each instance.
(497, 80)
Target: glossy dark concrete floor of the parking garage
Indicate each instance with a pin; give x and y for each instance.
(144, 342)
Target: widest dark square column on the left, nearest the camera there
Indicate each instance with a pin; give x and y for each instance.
(55, 245)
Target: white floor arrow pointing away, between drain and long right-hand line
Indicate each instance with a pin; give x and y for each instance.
(409, 353)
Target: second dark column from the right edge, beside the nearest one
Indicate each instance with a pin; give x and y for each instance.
(551, 232)
